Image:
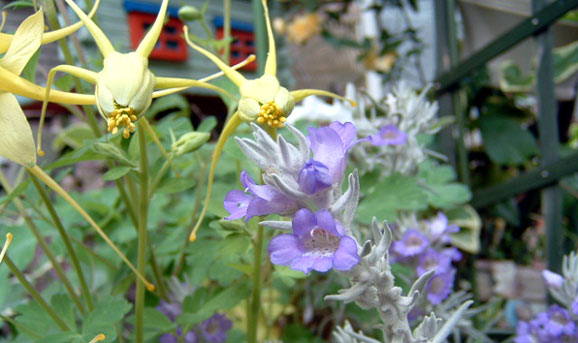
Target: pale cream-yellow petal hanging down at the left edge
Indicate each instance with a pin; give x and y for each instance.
(16, 141)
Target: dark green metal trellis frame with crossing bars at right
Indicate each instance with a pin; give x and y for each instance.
(553, 168)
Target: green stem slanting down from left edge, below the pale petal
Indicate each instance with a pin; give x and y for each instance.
(43, 245)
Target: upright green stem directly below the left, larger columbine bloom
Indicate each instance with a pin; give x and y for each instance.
(142, 231)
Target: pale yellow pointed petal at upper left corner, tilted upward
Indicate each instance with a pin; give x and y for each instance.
(25, 43)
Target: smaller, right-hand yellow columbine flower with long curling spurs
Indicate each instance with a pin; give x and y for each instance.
(263, 100)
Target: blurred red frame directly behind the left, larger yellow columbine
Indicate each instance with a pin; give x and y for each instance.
(171, 45)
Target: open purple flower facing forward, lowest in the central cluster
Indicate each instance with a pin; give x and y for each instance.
(318, 243)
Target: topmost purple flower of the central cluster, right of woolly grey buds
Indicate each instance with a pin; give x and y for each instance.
(330, 145)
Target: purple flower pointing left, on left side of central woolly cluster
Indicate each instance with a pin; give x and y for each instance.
(261, 200)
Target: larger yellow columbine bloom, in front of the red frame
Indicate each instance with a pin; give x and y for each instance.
(124, 88)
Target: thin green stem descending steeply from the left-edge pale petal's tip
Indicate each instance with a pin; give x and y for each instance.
(66, 240)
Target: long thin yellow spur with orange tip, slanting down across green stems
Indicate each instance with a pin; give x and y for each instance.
(39, 173)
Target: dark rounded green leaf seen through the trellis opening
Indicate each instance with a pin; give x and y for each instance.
(506, 141)
